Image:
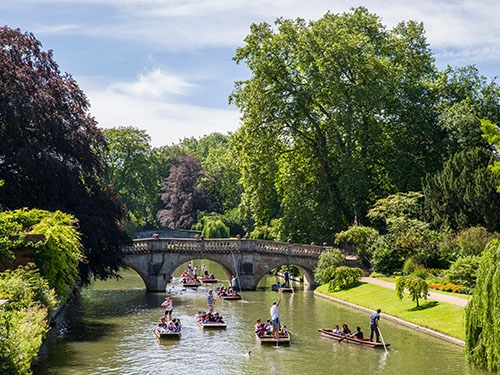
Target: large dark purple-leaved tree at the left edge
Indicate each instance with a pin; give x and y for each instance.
(49, 150)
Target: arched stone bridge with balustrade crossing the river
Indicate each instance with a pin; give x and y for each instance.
(155, 259)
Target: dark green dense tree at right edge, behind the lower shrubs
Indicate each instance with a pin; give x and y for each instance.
(463, 193)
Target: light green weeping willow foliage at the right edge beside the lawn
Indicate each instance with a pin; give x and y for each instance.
(482, 314)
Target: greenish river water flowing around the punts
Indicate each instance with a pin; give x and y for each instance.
(109, 331)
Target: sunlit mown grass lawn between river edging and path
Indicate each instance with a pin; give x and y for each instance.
(439, 316)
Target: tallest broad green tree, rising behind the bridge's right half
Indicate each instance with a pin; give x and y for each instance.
(335, 116)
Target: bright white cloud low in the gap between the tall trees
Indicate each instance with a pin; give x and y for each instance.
(139, 104)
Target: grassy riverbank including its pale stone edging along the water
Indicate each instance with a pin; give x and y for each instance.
(445, 321)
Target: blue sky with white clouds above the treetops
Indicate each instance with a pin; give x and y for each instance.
(166, 66)
